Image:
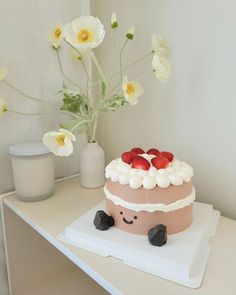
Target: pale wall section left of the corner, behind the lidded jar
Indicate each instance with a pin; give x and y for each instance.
(33, 68)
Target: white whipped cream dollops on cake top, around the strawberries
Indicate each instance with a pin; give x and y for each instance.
(176, 173)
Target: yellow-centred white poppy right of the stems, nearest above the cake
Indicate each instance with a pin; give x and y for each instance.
(132, 90)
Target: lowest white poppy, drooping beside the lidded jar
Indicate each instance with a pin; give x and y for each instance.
(59, 142)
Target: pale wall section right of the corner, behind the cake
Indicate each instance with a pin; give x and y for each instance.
(193, 115)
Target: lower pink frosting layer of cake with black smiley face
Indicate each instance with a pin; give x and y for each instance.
(141, 222)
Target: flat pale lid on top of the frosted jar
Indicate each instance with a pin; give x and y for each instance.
(28, 149)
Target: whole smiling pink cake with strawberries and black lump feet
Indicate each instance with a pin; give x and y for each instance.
(148, 193)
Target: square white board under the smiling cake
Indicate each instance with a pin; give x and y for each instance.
(182, 260)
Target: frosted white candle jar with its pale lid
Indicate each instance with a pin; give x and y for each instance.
(33, 171)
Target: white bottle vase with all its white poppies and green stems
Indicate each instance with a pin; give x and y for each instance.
(83, 35)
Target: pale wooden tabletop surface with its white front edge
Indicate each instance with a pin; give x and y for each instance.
(70, 201)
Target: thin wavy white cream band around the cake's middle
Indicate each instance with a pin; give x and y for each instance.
(151, 207)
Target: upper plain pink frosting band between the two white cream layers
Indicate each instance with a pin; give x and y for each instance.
(156, 195)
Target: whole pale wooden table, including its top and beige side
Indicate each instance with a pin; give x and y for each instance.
(40, 264)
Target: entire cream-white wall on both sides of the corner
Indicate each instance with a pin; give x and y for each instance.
(193, 115)
